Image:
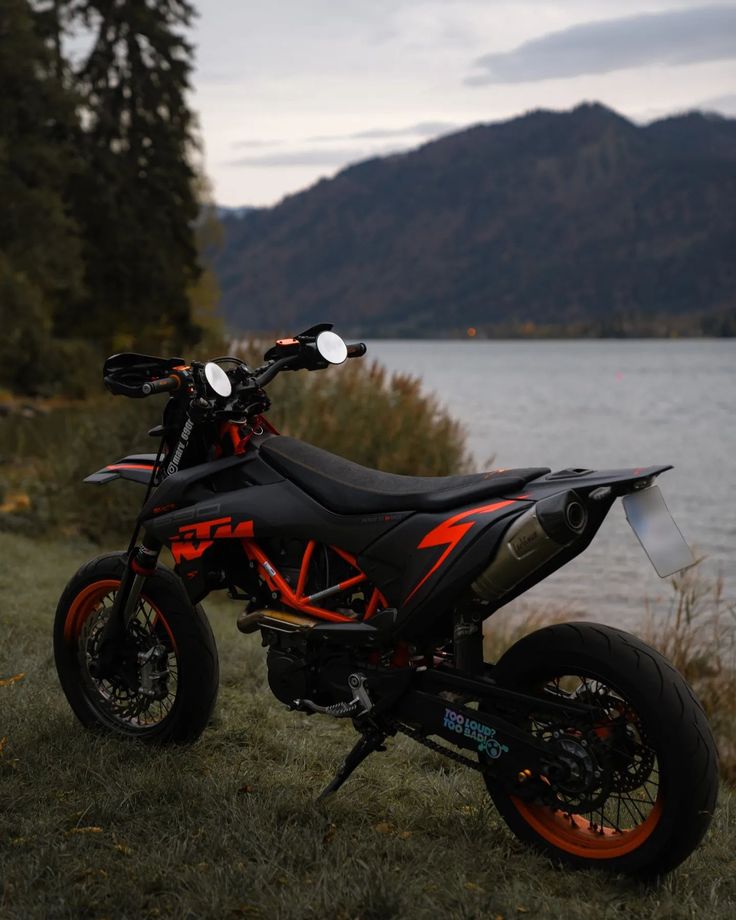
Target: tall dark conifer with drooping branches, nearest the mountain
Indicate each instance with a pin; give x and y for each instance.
(137, 198)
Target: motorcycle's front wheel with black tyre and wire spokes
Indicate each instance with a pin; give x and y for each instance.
(165, 681)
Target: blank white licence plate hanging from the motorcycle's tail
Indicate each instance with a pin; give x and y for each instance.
(657, 531)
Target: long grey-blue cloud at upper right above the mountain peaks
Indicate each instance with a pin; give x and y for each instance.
(673, 37)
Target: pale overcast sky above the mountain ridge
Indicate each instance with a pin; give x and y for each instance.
(289, 91)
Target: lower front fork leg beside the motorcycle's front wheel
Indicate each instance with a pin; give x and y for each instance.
(141, 565)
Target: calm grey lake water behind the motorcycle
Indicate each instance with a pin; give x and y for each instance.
(601, 404)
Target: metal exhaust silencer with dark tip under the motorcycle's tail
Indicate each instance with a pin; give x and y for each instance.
(533, 539)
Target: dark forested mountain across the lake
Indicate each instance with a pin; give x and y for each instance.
(578, 222)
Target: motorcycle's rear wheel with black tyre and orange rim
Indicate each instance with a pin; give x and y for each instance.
(634, 789)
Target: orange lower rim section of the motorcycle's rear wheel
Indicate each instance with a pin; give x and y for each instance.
(575, 835)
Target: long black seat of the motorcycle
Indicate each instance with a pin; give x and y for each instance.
(349, 488)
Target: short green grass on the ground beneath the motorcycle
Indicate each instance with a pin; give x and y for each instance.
(95, 828)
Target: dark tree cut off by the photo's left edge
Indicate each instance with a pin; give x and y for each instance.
(40, 263)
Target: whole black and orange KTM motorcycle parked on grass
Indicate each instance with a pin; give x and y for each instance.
(370, 591)
